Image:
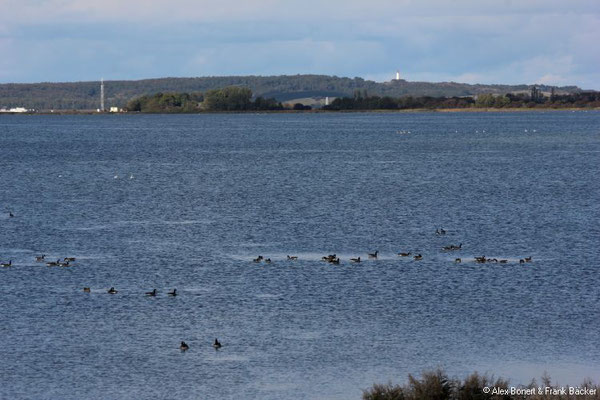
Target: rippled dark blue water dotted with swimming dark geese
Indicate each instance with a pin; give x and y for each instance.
(187, 202)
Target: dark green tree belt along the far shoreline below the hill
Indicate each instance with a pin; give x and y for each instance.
(236, 99)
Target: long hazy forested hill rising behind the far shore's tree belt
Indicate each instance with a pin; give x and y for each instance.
(86, 95)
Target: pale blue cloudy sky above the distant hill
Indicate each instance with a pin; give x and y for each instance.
(552, 42)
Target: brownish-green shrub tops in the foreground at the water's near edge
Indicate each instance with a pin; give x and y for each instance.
(436, 385)
